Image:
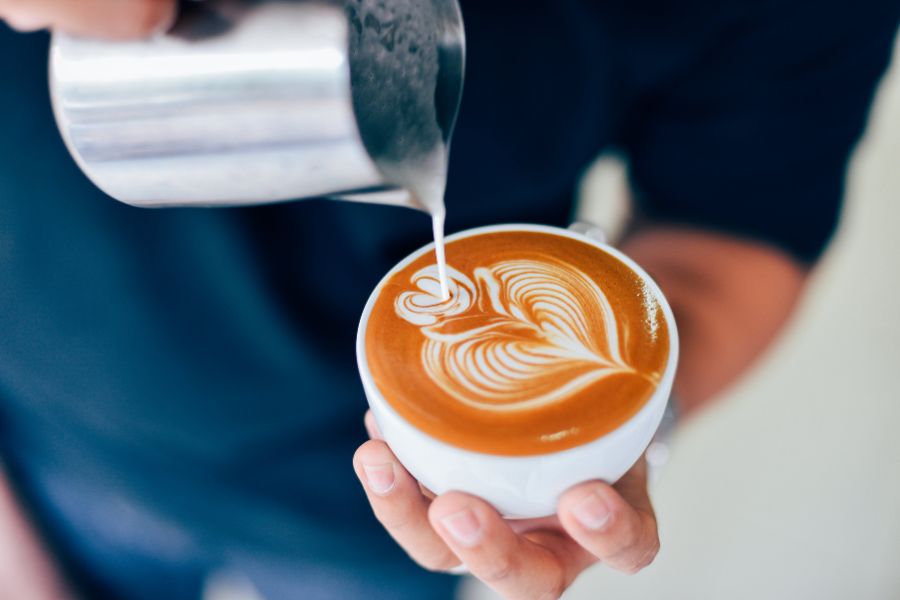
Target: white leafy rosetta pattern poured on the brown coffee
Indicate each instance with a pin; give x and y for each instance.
(523, 335)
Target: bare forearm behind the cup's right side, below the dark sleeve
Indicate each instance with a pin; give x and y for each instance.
(730, 297)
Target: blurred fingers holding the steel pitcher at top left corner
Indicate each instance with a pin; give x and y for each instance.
(113, 19)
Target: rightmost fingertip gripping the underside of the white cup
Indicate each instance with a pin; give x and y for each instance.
(618, 528)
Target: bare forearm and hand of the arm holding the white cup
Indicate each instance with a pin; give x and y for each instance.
(726, 319)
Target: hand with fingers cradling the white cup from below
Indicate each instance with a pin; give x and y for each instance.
(521, 559)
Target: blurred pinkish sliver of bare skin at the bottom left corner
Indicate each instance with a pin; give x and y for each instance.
(26, 570)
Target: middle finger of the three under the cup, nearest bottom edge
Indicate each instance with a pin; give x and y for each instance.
(512, 565)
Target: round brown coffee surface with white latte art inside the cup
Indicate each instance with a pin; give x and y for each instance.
(545, 343)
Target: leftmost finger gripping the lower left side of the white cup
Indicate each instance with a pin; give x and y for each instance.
(400, 507)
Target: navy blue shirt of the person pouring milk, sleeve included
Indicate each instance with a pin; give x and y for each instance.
(201, 362)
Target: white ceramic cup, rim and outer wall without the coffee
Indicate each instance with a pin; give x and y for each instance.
(518, 486)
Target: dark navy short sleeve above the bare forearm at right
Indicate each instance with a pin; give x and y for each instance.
(753, 135)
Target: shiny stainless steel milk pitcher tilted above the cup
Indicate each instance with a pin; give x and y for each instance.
(256, 101)
